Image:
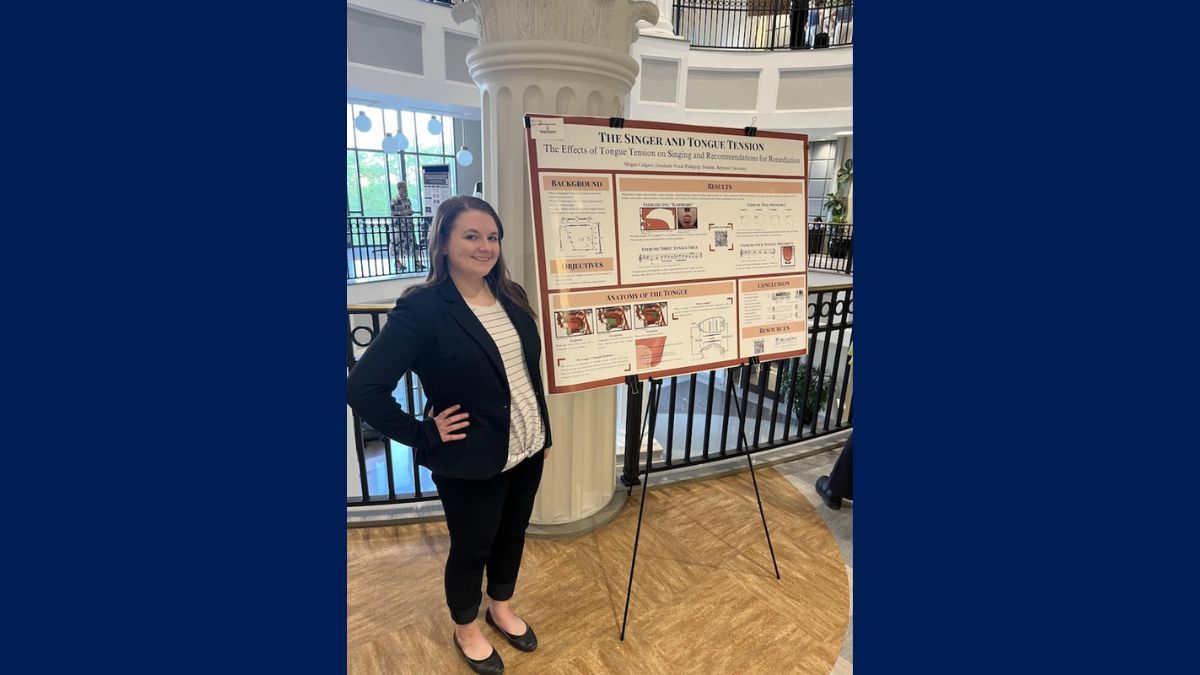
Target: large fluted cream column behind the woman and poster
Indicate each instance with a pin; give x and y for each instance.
(565, 57)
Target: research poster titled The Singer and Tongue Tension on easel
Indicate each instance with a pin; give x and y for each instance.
(665, 249)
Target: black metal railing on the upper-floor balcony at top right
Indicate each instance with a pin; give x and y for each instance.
(765, 25)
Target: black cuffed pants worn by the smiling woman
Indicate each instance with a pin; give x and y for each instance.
(488, 521)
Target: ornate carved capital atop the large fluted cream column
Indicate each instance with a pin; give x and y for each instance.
(603, 23)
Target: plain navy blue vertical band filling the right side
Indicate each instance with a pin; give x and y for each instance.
(1018, 495)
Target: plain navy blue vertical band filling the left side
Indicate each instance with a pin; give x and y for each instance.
(177, 479)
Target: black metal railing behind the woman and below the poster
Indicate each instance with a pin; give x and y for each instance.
(697, 420)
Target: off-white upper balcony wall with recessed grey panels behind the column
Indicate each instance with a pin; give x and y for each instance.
(807, 91)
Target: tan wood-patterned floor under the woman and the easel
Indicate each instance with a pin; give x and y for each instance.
(705, 595)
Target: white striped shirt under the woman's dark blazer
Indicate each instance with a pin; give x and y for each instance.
(526, 432)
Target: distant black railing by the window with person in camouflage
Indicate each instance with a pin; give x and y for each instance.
(386, 247)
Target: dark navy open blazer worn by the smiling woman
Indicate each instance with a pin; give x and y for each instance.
(440, 338)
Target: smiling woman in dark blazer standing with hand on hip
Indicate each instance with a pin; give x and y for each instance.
(470, 334)
